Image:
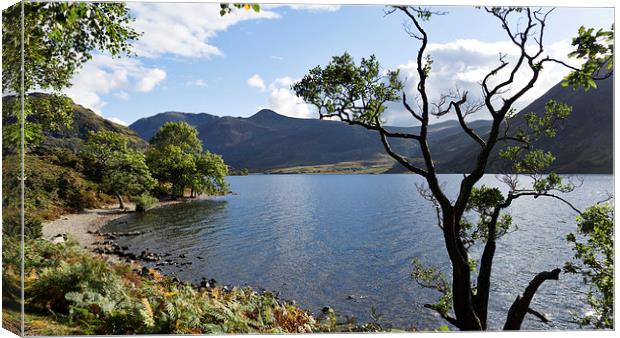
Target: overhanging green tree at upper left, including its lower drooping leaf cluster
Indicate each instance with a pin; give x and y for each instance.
(59, 39)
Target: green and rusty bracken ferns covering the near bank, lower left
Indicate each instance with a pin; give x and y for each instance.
(69, 291)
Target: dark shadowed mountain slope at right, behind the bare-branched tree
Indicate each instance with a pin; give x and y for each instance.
(584, 141)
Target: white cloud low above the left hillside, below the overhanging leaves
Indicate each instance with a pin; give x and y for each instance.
(103, 75)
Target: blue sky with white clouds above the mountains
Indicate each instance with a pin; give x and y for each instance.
(190, 59)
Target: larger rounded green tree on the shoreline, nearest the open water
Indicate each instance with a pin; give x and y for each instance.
(176, 157)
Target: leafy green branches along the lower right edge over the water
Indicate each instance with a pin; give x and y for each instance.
(594, 260)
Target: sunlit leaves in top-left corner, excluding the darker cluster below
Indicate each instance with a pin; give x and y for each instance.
(60, 37)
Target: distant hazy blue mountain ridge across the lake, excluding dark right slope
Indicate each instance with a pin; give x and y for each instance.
(268, 140)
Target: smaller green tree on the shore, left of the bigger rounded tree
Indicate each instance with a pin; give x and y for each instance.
(126, 173)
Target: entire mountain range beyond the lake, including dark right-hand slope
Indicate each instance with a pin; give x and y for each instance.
(268, 141)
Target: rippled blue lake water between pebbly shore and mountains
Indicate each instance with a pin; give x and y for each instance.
(318, 239)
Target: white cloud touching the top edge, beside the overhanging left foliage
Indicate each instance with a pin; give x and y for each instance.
(184, 29)
